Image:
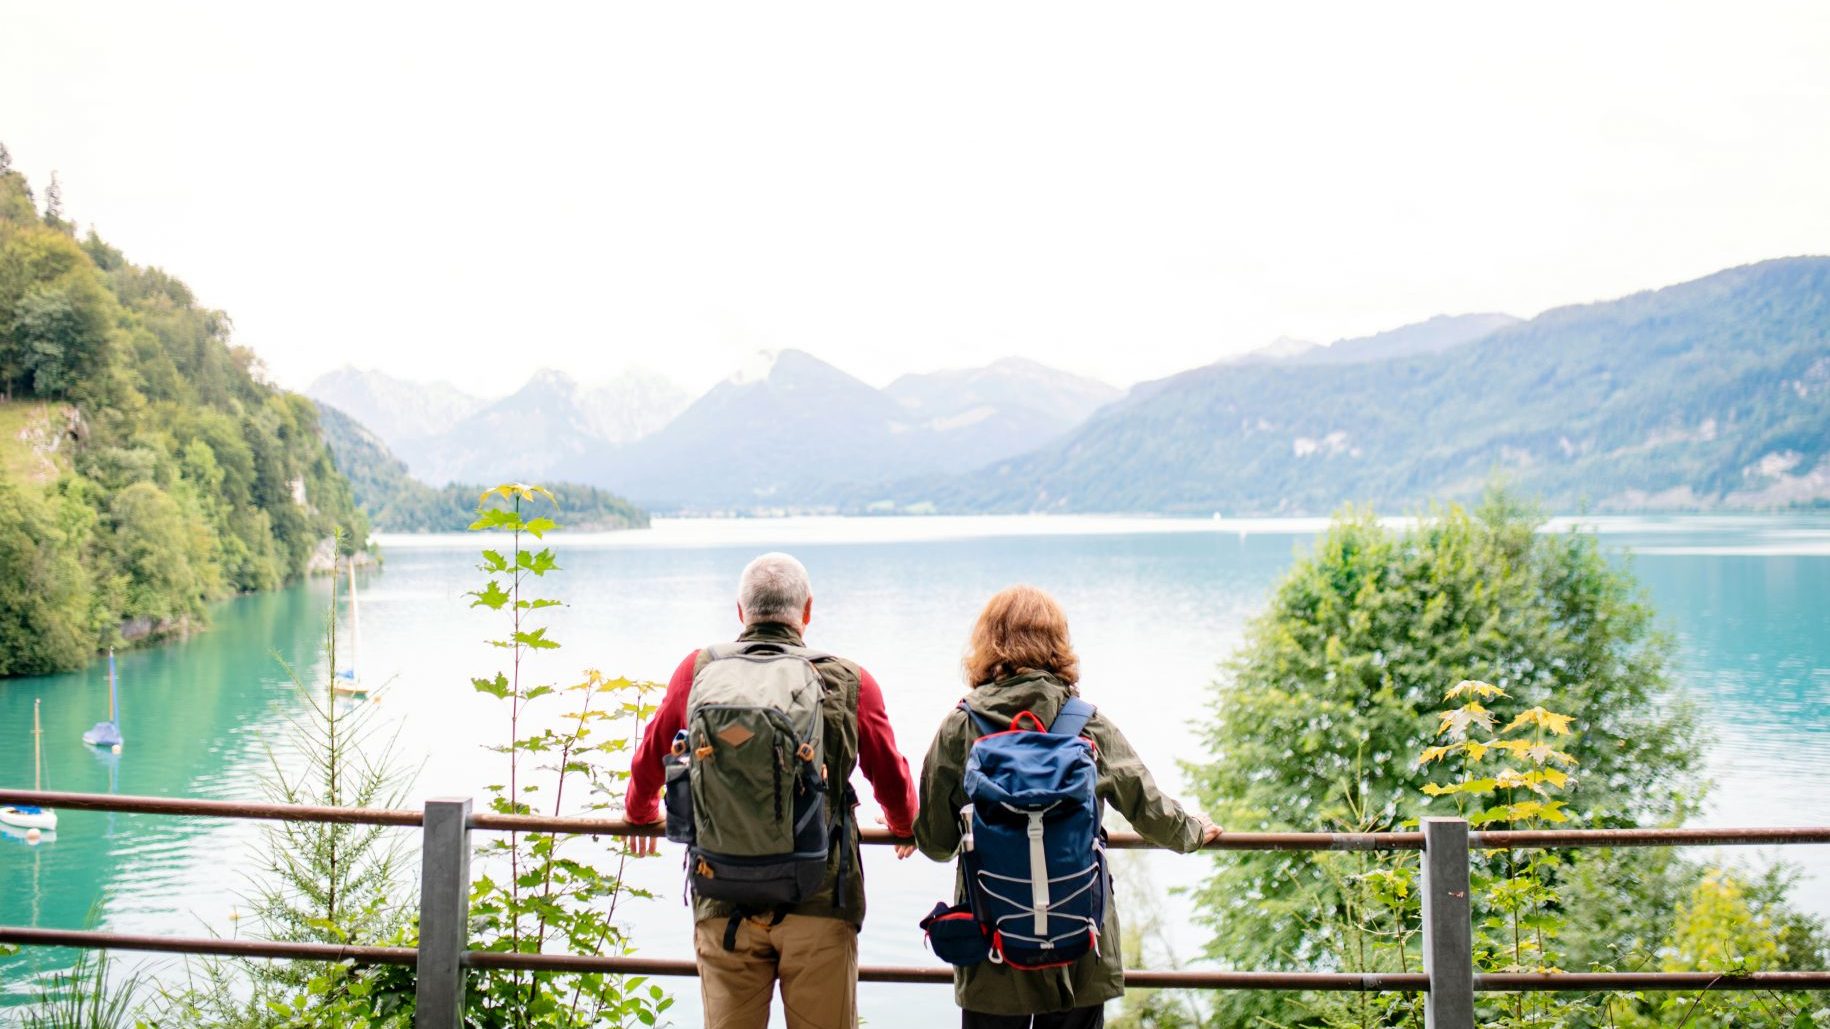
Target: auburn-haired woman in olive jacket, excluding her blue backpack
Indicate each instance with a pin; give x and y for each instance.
(1020, 660)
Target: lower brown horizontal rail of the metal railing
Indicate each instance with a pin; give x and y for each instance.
(1319, 982)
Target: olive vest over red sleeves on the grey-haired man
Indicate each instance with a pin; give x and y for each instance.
(841, 713)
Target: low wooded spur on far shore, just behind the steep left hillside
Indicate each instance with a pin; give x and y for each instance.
(396, 503)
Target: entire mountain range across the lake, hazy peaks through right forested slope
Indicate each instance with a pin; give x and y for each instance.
(1705, 395)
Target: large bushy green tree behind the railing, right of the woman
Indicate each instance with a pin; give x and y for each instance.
(1319, 719)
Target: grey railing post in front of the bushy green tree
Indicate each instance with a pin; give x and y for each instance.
(1448, 927)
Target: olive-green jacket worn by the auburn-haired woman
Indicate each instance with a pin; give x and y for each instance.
(1126, 786)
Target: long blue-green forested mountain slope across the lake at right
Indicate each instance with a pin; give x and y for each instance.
(1712, 395)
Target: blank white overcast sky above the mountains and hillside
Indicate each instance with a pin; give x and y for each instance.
(1119, 190)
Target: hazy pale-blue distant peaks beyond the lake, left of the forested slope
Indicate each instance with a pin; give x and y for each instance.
(773, 435)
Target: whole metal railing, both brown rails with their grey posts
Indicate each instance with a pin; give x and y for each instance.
(1448, 980)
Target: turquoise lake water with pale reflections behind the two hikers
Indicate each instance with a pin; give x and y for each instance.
(1154, 603)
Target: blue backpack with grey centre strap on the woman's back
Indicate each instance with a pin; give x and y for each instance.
(1035, 852)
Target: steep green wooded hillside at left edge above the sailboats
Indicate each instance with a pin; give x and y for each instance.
(145, 470)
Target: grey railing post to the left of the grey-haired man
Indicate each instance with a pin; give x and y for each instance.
(444, 913)
